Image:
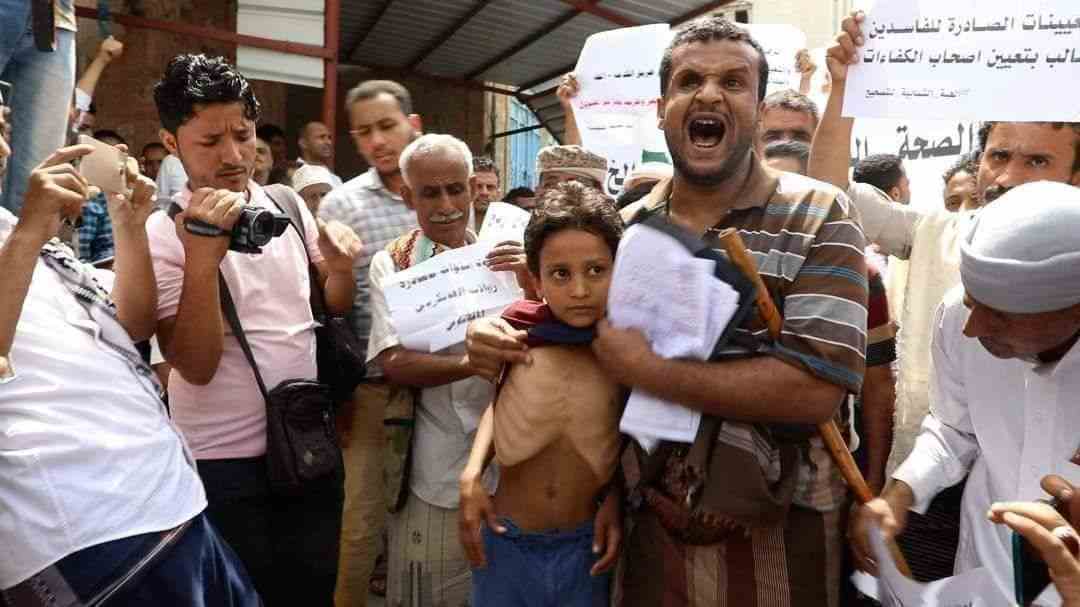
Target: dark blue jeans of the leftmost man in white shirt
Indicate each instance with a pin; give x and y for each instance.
(198, 571)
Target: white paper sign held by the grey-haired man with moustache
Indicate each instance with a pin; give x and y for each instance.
(431, 304)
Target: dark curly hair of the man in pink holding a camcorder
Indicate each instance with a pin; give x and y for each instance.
(193, 80)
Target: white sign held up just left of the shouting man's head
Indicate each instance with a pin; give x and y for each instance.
(616, 107)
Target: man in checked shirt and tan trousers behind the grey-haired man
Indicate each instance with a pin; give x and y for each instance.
(382, 124)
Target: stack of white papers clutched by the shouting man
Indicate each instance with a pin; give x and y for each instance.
(660, 289)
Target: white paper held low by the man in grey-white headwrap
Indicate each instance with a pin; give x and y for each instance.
(971, 589)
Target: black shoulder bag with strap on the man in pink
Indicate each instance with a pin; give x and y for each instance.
(302, 443)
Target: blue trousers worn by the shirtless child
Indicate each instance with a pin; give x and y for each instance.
(545, 570)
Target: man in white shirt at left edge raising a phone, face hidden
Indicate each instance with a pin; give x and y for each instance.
(101, 501)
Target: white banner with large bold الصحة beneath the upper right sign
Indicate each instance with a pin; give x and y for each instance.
(927, 147)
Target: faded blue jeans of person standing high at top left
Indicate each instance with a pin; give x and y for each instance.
(42, 97)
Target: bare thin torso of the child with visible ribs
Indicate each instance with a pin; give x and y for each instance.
(557, 438)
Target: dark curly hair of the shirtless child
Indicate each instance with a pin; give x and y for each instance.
(572, 207)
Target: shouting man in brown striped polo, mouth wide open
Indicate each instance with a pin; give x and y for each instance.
(809, 253)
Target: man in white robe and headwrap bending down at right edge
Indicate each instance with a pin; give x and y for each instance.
(1006, 379)
